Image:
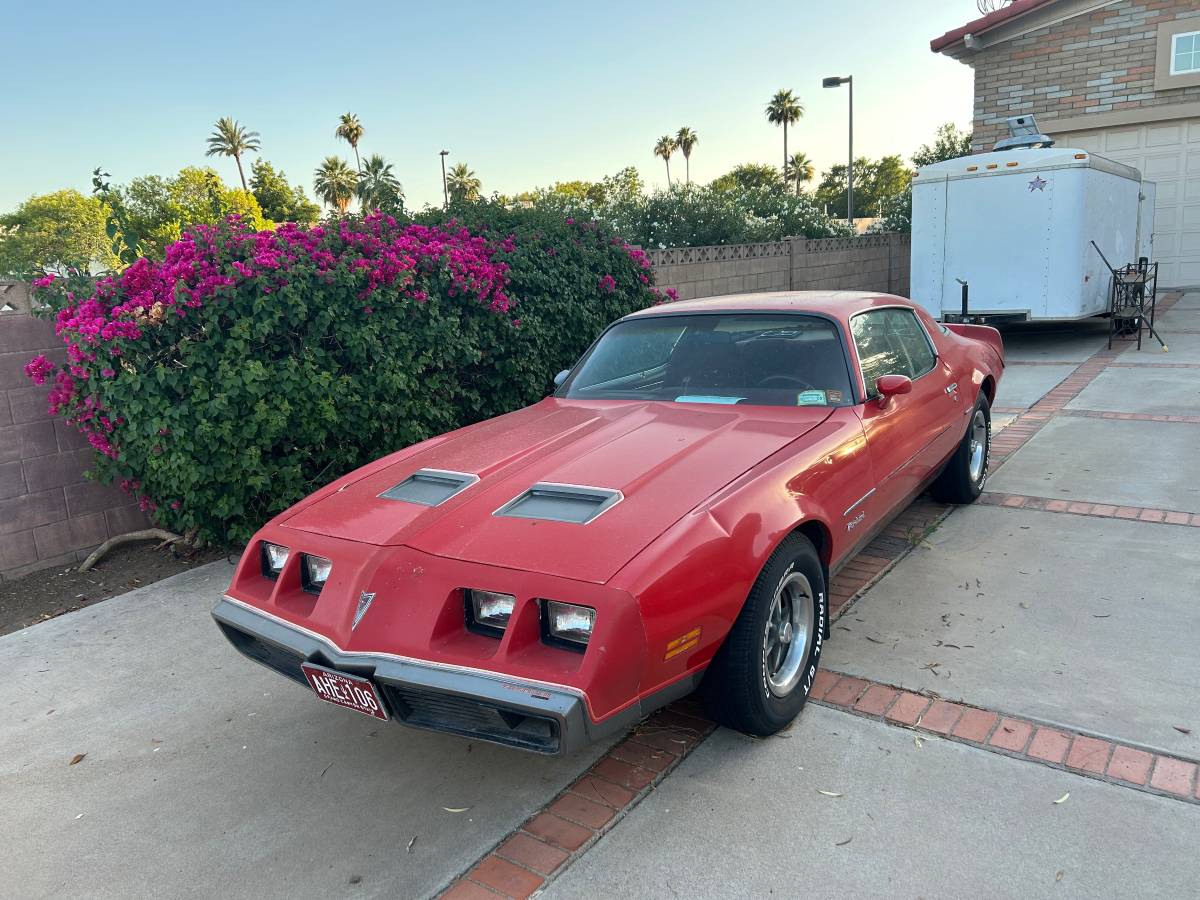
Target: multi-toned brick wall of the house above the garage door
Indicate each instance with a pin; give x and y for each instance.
(1096, 63)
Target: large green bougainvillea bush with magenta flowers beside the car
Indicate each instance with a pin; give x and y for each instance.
(248, 368)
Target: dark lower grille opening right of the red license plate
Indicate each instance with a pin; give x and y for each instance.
(472, 718)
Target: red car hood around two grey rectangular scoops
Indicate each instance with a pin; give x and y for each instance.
(665, 459)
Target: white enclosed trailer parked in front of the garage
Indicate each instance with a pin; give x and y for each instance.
(1017, 226)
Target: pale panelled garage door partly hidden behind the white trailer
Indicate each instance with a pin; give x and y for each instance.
(1168, 154)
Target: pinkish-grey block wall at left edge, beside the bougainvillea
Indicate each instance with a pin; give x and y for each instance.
(50, 514)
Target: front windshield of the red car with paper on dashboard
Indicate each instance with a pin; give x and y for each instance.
(783, 361)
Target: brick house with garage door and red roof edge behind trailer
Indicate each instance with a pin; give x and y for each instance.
(1117, 77)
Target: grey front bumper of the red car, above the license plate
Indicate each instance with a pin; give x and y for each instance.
(470, 703)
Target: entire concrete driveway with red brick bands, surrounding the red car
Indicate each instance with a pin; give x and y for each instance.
(1010, 709)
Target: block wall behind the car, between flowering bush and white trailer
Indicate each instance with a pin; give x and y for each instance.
(873, 262)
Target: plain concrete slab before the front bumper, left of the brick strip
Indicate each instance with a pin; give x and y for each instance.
(208, 776)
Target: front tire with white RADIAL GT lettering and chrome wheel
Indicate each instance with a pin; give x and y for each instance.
(760, 680)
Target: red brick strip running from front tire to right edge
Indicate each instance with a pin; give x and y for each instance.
(1075, 752)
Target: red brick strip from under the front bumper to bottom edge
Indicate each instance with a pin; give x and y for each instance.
(580, 815)
